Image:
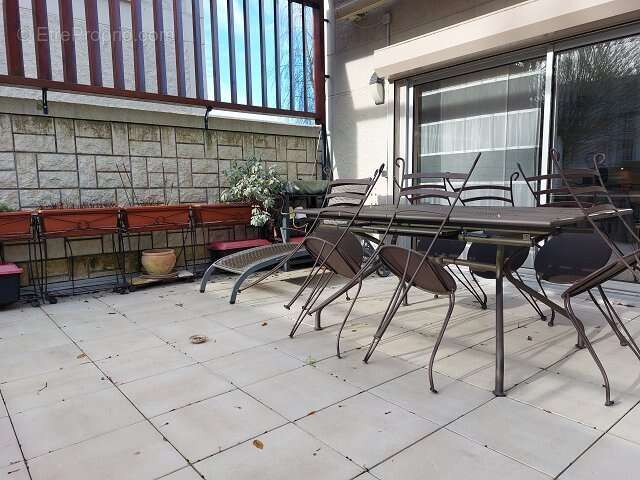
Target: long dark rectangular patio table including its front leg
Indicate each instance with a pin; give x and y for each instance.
(507, 226)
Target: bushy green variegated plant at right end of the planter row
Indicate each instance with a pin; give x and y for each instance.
(256, 183)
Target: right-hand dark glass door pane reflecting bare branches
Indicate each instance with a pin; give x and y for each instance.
(597, 112)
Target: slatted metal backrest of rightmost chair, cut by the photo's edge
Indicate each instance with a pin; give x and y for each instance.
(625, 260)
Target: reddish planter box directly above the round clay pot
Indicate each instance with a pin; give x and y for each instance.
(157, 217)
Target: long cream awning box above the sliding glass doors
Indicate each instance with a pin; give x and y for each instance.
(495, 31)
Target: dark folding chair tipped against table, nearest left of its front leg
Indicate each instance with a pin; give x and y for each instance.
(420, 270)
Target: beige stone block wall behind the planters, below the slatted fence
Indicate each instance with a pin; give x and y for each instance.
(47, 159)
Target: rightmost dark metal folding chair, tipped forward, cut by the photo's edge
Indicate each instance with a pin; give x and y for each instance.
(619, 263)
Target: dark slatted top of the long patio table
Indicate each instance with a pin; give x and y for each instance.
(521, 218)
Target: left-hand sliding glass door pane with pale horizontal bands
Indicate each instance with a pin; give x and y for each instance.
(497, 112)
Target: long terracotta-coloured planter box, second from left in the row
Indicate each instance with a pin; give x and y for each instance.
(78, 222)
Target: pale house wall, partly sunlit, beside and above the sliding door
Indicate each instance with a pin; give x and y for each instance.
(361, 132)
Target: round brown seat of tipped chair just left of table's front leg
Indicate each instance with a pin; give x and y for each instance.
(431, 277)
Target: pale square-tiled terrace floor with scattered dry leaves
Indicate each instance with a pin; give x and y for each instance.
(109, 387)
